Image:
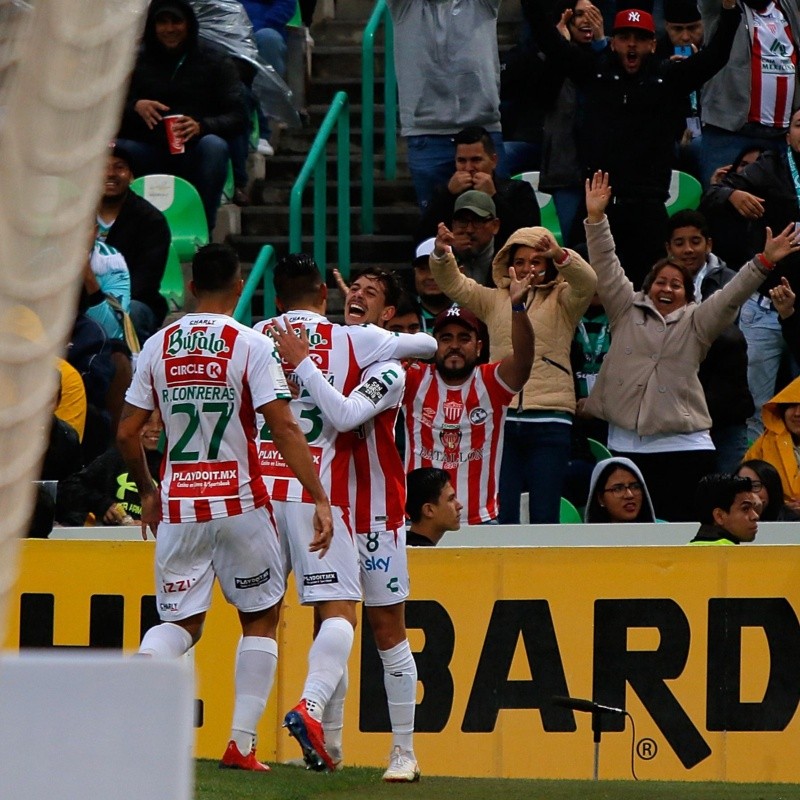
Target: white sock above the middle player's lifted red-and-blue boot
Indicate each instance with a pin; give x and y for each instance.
(327, 660)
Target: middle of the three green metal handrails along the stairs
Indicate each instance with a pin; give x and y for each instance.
(316, 165)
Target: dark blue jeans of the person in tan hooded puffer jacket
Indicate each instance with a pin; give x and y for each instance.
(535, 459)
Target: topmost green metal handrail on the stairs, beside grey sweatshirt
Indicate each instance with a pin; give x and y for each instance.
(379, 15)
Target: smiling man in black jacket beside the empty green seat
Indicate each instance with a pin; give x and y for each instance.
(140, 232)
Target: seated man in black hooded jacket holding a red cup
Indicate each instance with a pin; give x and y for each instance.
(175, 73)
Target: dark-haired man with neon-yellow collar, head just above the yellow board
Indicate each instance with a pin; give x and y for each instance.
(728, 509)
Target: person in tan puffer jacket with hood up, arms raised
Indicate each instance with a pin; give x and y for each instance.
(538, 425)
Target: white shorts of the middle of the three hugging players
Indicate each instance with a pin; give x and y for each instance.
(332, 577)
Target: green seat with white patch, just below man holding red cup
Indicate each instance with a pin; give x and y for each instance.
(180, 203)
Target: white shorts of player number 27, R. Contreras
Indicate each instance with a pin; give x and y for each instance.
(244, 553)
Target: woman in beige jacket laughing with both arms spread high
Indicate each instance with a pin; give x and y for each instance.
(648, 388)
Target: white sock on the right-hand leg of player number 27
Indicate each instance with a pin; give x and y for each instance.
(256, 661)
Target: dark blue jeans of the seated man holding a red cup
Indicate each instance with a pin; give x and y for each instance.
(204, 165)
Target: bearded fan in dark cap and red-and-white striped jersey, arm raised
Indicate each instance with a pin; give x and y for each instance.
(455, 410)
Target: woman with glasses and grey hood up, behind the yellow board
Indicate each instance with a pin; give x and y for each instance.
(618, 493)
